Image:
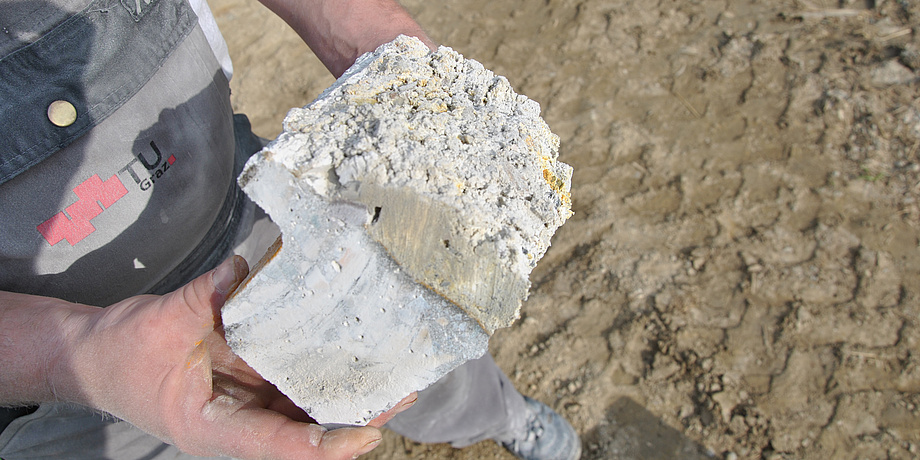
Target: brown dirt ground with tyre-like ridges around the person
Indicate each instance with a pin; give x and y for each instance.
(741, 278)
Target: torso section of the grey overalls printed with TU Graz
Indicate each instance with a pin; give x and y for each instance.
(118, 149)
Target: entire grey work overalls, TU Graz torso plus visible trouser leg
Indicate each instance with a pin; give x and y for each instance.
(118, 157)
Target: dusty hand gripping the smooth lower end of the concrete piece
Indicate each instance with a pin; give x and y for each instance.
(161, 363)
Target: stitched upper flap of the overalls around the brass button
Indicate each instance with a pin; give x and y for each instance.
(91, 61)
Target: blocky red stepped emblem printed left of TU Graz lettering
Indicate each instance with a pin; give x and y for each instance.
(95, 195)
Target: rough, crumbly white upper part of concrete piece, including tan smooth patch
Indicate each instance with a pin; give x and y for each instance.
(475, 157)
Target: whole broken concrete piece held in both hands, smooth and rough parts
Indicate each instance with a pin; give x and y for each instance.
(414, 197)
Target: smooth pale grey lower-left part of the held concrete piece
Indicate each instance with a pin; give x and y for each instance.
(331, 320)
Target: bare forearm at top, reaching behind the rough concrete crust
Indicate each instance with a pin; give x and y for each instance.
(339, 31)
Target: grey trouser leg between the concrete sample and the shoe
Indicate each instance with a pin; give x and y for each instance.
(471, 404)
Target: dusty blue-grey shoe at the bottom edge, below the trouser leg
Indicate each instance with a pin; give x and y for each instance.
(544, 436)
